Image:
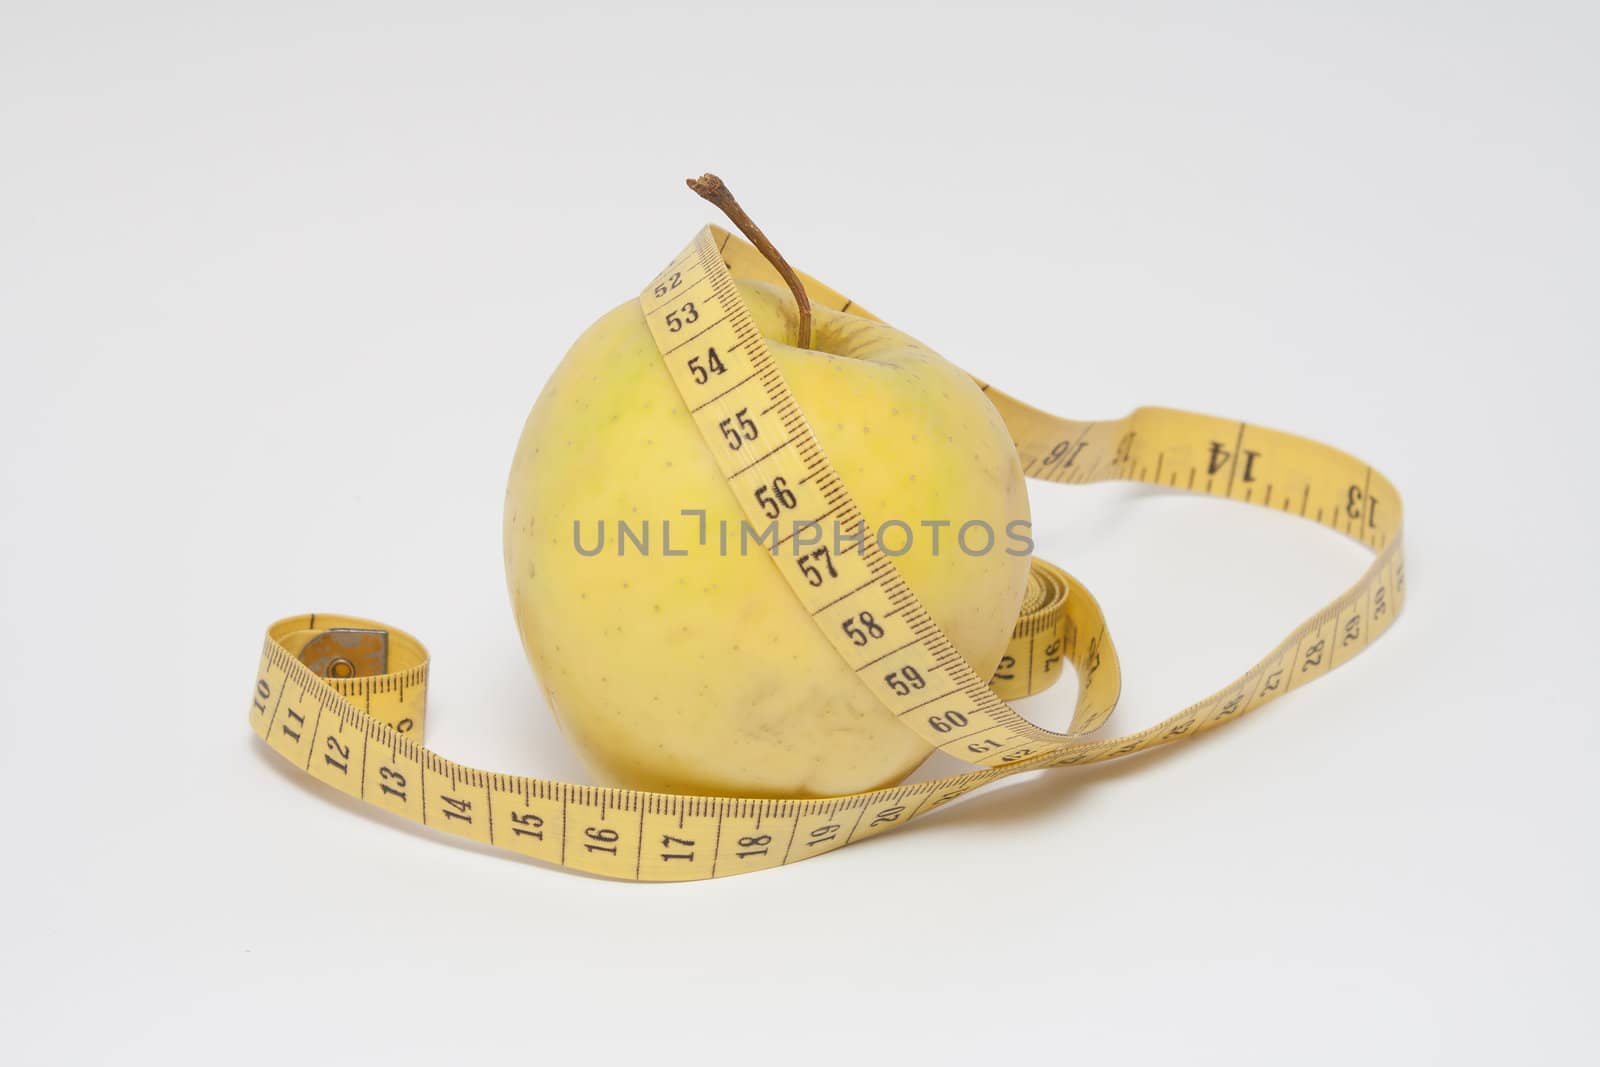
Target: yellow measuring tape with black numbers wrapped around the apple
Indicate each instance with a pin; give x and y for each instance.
(345, 698)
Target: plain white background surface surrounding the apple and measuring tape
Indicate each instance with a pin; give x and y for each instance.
(278, 289)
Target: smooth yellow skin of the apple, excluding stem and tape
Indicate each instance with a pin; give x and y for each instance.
(703, 674)
